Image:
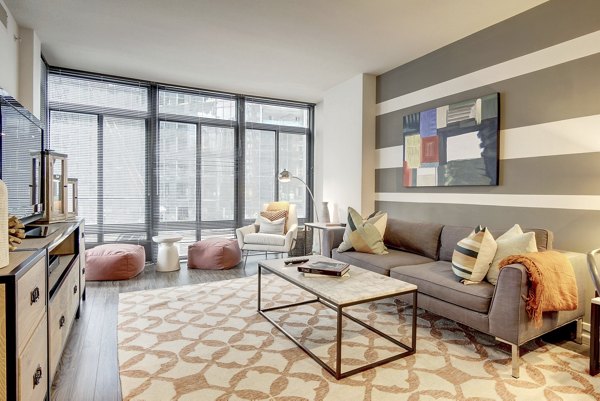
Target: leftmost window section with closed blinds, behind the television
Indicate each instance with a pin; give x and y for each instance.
(103, 128)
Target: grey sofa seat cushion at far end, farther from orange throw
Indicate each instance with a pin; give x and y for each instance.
(379, 263)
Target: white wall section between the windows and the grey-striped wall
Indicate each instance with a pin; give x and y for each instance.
(345, 147)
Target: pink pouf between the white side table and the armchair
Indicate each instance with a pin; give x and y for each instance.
(214, 254)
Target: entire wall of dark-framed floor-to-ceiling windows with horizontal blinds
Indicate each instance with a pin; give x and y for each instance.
(155, 159)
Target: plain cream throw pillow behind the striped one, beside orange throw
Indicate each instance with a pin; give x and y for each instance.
(512, 242)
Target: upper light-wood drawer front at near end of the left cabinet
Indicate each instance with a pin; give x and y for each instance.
(31, 301)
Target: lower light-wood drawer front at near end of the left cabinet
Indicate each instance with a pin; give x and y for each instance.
(33, 369)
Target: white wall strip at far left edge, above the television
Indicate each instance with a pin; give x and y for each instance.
(9, 55)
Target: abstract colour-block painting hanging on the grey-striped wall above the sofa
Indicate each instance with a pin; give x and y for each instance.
(452, 145)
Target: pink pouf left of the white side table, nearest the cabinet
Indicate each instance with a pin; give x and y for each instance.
(114, 262)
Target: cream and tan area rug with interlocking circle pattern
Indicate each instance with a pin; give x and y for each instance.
(207, 342)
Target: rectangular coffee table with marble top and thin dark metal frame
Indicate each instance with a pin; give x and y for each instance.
(338, 293)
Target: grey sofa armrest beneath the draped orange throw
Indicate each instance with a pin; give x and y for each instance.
(508, 319)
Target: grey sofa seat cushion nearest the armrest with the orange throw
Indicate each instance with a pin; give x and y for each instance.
(437, 280)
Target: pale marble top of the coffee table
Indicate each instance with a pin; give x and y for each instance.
(360, 285)
